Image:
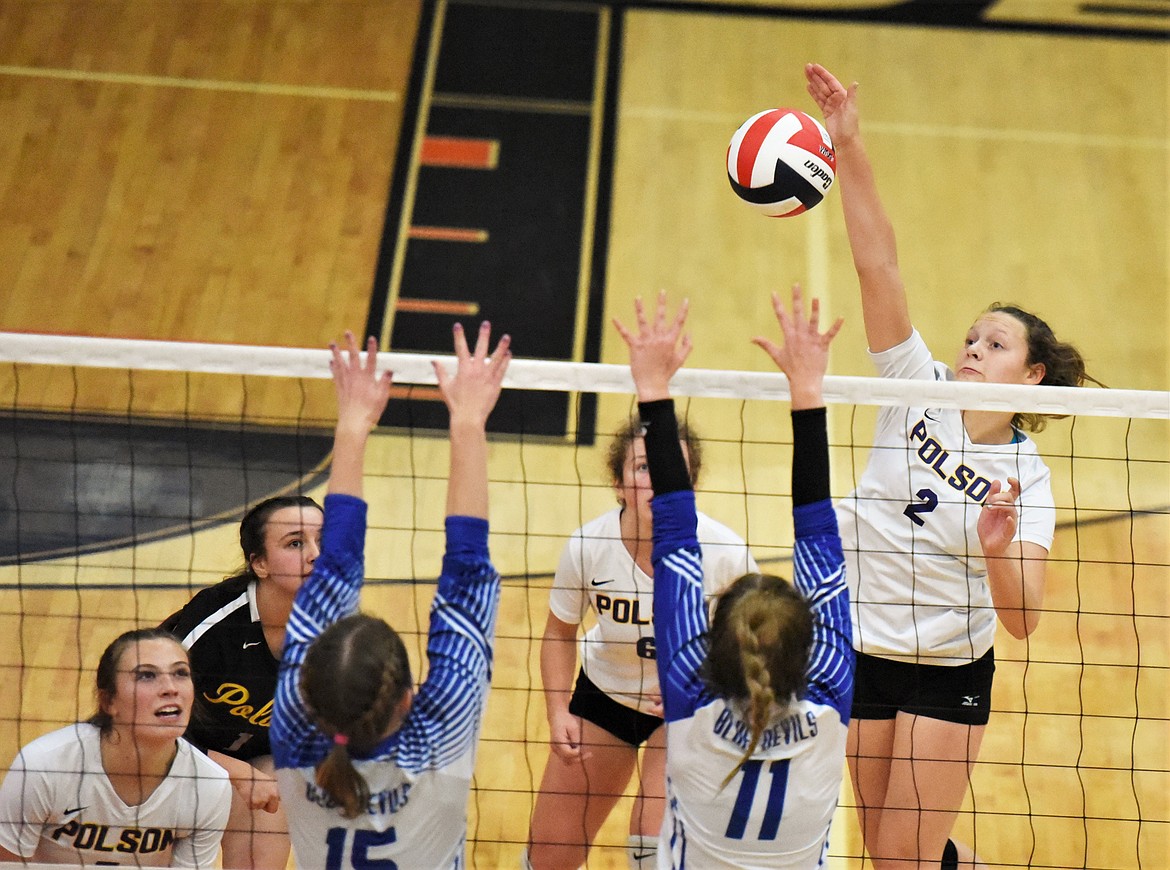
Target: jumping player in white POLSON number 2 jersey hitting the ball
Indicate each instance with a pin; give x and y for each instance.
(949, 529)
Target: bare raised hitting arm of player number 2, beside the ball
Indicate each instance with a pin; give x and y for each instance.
(884, 302)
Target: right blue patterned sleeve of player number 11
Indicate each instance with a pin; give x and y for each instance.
(820, 575)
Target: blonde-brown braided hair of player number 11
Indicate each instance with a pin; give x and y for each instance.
(761, 639)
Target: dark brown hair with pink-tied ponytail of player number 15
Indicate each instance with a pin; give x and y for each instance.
(354, 679)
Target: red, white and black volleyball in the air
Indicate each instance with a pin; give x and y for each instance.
(782, 162)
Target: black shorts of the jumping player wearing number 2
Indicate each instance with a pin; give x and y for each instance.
(962, 694)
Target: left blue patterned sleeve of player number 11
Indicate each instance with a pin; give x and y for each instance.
(680, 612)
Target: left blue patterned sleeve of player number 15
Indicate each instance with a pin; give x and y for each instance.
(332, 592)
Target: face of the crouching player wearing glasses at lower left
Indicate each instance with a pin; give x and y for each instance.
(154, 693)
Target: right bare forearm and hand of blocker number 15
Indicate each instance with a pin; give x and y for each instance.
(471, 395)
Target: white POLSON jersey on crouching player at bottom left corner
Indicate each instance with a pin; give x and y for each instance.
(59, 807)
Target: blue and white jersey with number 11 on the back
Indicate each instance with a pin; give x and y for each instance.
(776, 812)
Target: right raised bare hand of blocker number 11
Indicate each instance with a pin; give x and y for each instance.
(804, 356)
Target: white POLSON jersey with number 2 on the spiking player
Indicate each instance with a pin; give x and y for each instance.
(918, 577)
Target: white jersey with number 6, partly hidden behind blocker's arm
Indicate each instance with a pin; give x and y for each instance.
(597, 572)
